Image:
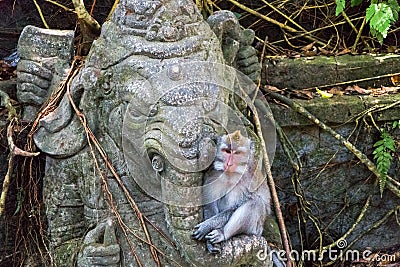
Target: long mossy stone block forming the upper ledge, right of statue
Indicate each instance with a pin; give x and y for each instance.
(321, 70)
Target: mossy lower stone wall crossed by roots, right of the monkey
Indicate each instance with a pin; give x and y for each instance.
(332, 179)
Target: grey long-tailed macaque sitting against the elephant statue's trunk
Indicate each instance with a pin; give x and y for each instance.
(236, 198)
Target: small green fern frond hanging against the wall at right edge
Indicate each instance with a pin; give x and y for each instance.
(383, 156)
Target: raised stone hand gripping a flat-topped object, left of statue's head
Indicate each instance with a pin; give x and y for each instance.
(45, 56)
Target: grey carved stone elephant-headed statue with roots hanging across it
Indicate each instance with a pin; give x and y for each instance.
(155, 92)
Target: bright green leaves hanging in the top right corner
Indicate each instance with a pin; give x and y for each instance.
(381, 14)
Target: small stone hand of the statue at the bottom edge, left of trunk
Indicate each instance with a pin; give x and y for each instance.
(100, 247)
